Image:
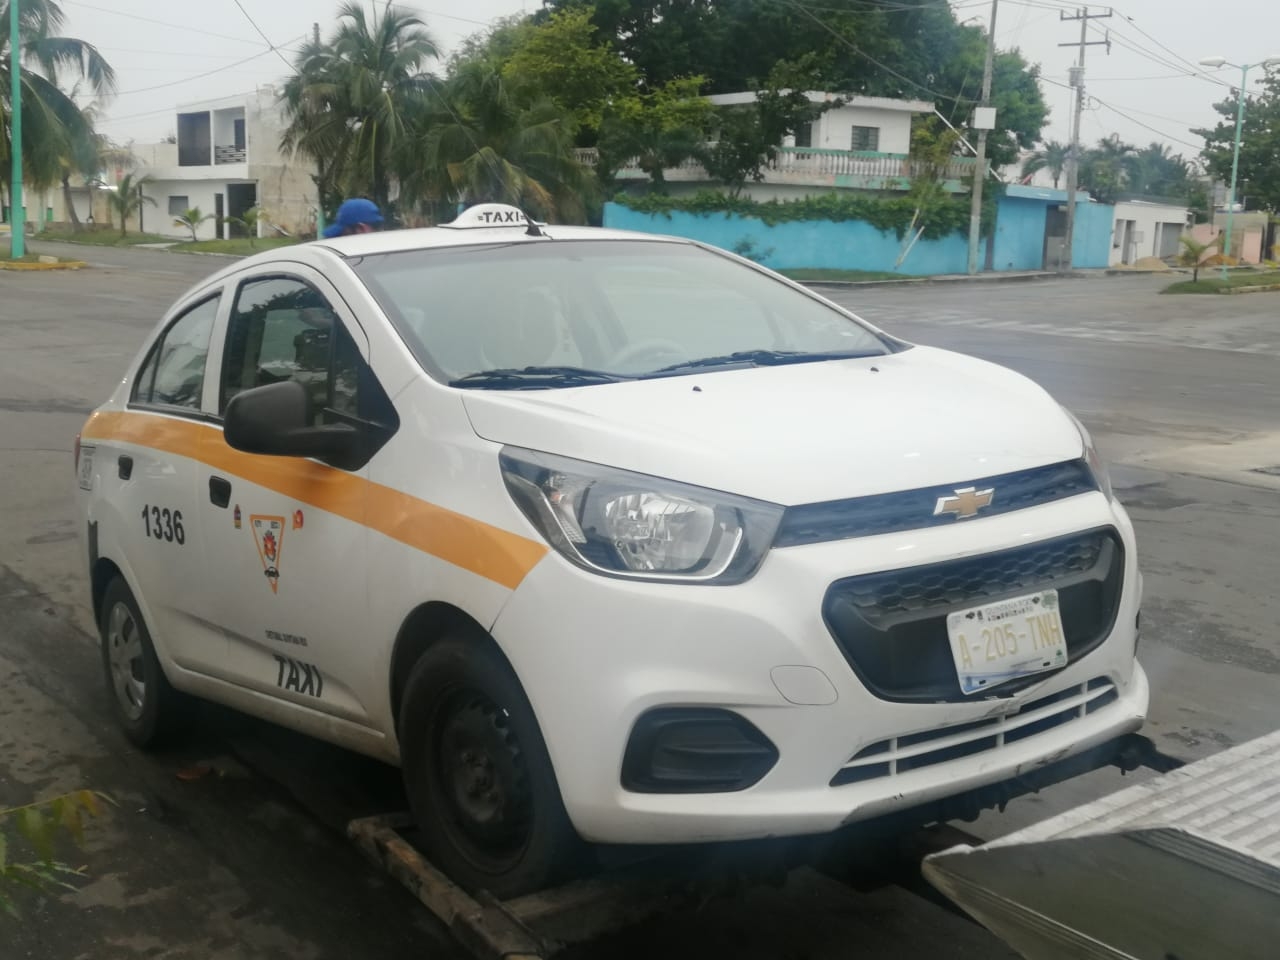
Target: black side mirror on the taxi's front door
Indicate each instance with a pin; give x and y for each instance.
(276, 420)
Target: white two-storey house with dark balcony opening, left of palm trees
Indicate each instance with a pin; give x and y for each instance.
(227, 159)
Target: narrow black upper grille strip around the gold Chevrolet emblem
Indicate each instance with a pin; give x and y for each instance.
(912, 510)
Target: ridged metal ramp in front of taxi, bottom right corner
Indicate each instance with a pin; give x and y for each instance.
(1185, 867)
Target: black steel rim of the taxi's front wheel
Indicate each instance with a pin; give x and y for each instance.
(483, 779)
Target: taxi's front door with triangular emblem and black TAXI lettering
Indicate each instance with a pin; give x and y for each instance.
(286, 536)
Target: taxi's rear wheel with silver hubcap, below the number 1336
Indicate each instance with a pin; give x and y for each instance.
(150, 712)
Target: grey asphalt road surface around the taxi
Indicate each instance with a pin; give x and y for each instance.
(234, 848)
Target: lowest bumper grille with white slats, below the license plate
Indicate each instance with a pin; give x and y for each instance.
(888, 758)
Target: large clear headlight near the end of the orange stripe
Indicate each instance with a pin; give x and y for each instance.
(637, 527)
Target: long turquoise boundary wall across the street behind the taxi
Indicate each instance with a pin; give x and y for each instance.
(854, 245)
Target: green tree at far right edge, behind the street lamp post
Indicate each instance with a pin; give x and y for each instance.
(1260, 147)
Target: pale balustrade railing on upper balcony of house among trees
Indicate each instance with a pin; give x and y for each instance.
(839, 168)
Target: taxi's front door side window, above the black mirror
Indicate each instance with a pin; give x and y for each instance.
(285, 330)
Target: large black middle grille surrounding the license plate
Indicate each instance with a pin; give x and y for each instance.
(893, 628)
